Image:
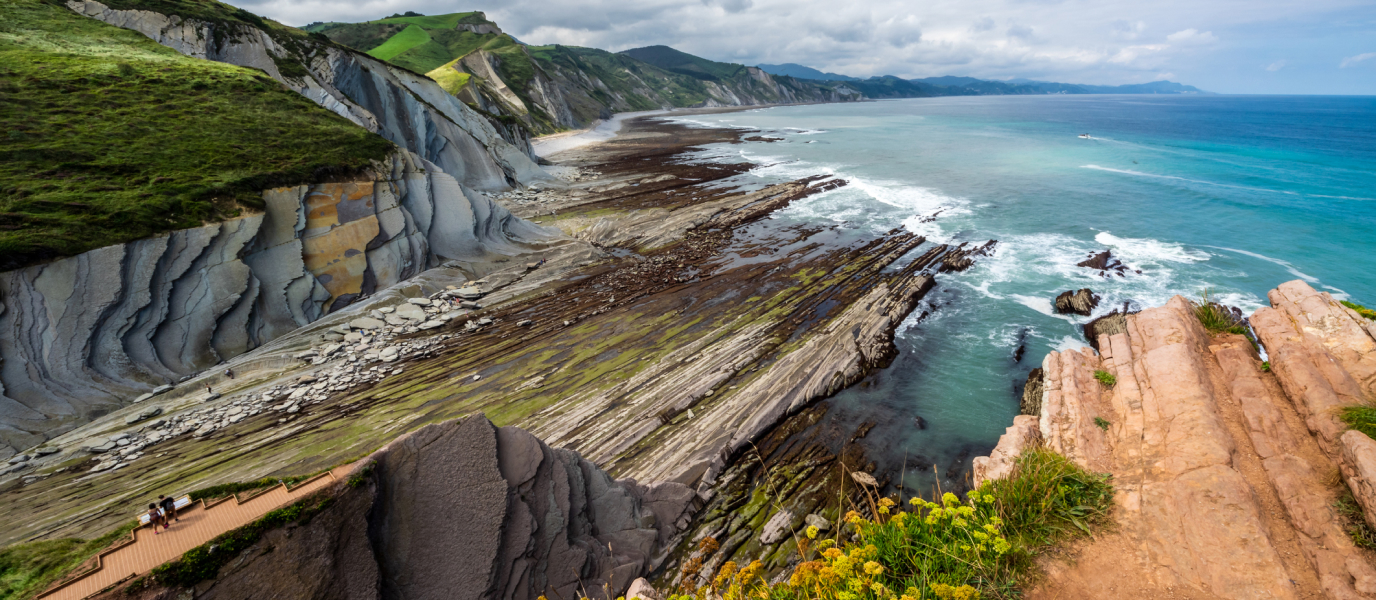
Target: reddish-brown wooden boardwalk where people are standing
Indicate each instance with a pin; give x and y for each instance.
(200, 524)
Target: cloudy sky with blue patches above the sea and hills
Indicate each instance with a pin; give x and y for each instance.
(1220, 46)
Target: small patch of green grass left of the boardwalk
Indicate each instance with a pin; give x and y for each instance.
(28, 569)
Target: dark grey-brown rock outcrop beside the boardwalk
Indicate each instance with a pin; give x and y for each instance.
(464, 510)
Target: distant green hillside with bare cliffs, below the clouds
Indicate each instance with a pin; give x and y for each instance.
(557, 87)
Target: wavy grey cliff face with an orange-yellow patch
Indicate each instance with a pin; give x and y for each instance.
(87, 335)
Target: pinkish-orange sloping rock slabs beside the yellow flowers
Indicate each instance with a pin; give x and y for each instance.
(1223, 492)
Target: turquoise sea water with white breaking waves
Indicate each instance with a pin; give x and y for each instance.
(1231, 193)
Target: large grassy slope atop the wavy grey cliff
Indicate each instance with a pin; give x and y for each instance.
(109, 137)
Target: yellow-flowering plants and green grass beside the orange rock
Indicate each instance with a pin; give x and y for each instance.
(982, 547)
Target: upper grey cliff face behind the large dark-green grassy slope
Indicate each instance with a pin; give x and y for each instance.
(411, 111)
